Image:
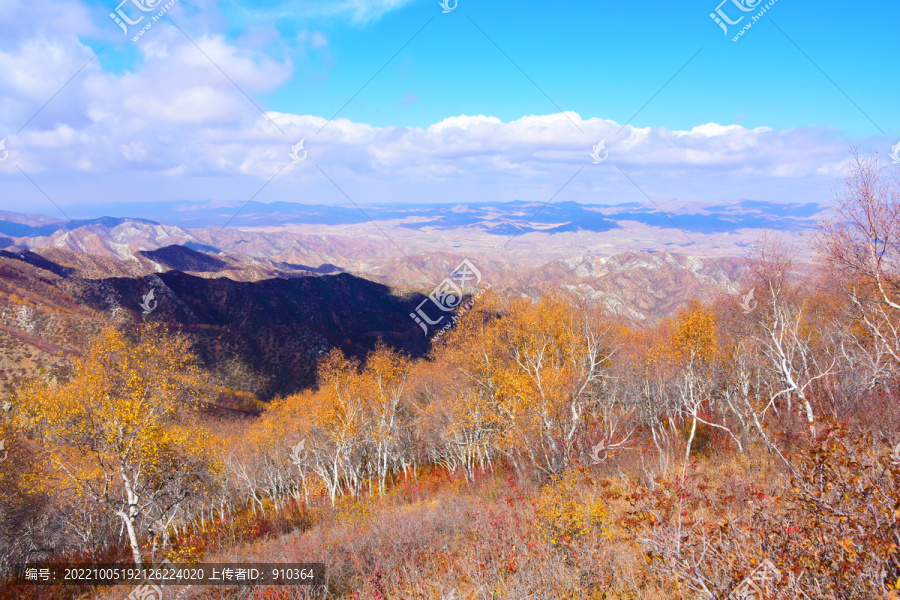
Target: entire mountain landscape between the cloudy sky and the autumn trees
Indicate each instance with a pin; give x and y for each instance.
(282, 283)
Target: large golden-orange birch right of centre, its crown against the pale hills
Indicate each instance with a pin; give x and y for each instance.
(535, 371)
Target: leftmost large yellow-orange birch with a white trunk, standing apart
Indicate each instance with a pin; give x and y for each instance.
(122, 432)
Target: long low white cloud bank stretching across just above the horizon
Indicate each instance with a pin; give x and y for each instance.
(207, 130)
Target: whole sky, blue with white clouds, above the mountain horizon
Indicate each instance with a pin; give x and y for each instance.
(768, 117)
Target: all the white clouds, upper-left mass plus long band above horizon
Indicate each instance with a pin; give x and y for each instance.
(176, 115)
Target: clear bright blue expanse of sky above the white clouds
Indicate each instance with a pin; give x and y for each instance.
(605, 59)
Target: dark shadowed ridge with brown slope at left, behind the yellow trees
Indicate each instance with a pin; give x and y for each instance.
(259, 337)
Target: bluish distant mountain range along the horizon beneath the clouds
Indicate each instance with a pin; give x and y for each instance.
(496, 218)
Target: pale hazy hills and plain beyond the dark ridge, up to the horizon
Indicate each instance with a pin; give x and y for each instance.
(358, 240)
